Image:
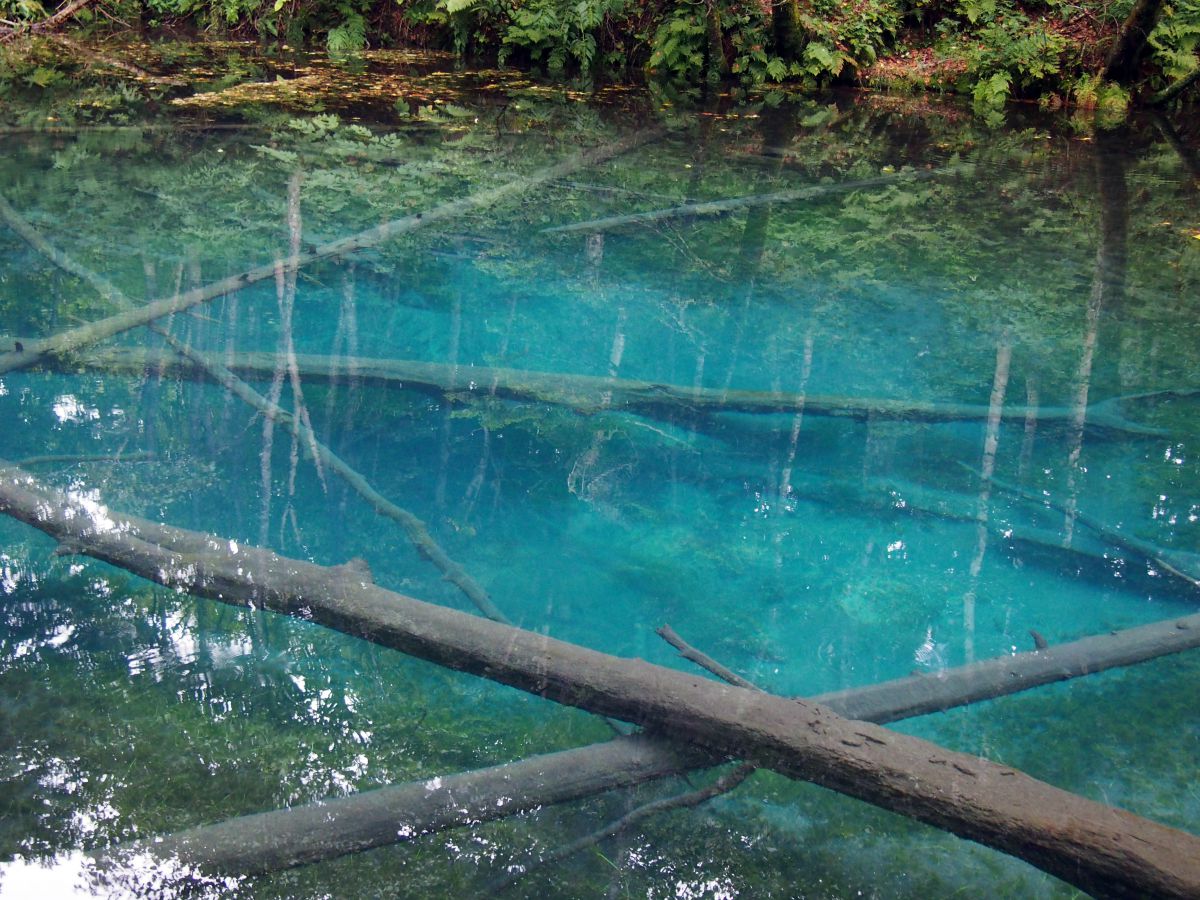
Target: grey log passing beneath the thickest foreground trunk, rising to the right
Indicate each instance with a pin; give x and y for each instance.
(281, 839)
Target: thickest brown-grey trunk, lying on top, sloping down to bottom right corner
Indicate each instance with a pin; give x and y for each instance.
(1099, 849)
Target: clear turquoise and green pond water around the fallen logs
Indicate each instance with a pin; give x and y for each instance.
(926, 387)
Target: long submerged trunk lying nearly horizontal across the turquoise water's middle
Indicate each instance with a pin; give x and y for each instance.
(585, 394)
